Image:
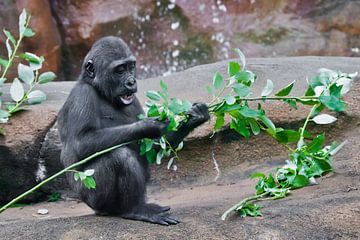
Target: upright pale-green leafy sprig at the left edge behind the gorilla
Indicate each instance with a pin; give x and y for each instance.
(28, 74)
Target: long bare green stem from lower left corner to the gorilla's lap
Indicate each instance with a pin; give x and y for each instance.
(3, 208)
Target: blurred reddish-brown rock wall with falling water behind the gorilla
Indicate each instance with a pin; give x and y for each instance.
(171, 35)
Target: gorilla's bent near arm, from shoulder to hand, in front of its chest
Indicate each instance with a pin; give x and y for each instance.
(86, 135)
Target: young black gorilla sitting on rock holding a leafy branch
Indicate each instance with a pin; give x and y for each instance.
(102, 111)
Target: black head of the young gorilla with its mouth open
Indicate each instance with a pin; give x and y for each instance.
(110, 68)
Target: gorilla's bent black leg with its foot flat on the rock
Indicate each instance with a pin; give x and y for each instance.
(120, 190)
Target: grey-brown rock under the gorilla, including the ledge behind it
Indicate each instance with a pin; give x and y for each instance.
(329, 210)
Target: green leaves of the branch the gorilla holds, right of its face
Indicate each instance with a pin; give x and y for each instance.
(308, 157)
